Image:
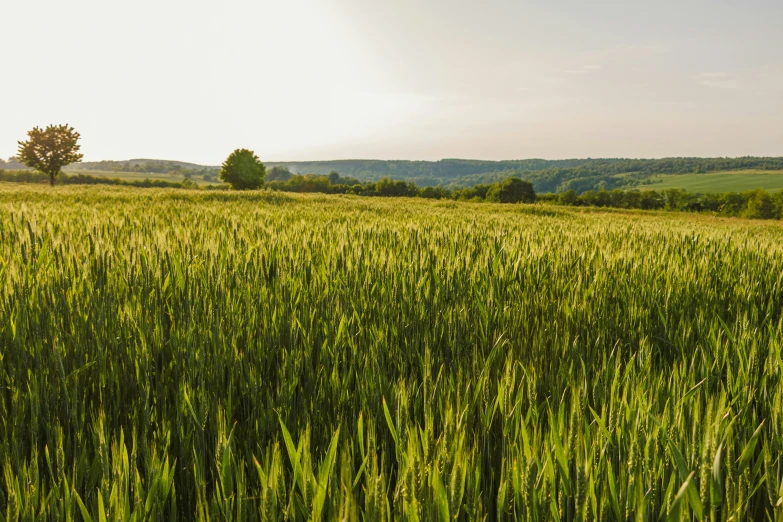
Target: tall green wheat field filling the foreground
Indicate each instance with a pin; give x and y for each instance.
(184, 355)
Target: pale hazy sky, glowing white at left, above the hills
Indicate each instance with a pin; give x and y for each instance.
(327, 79)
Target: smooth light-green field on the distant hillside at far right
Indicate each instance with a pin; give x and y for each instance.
(716, 182)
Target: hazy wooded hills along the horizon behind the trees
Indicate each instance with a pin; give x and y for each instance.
(546, 175)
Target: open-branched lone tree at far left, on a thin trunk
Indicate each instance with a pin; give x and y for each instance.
(49, 150)
